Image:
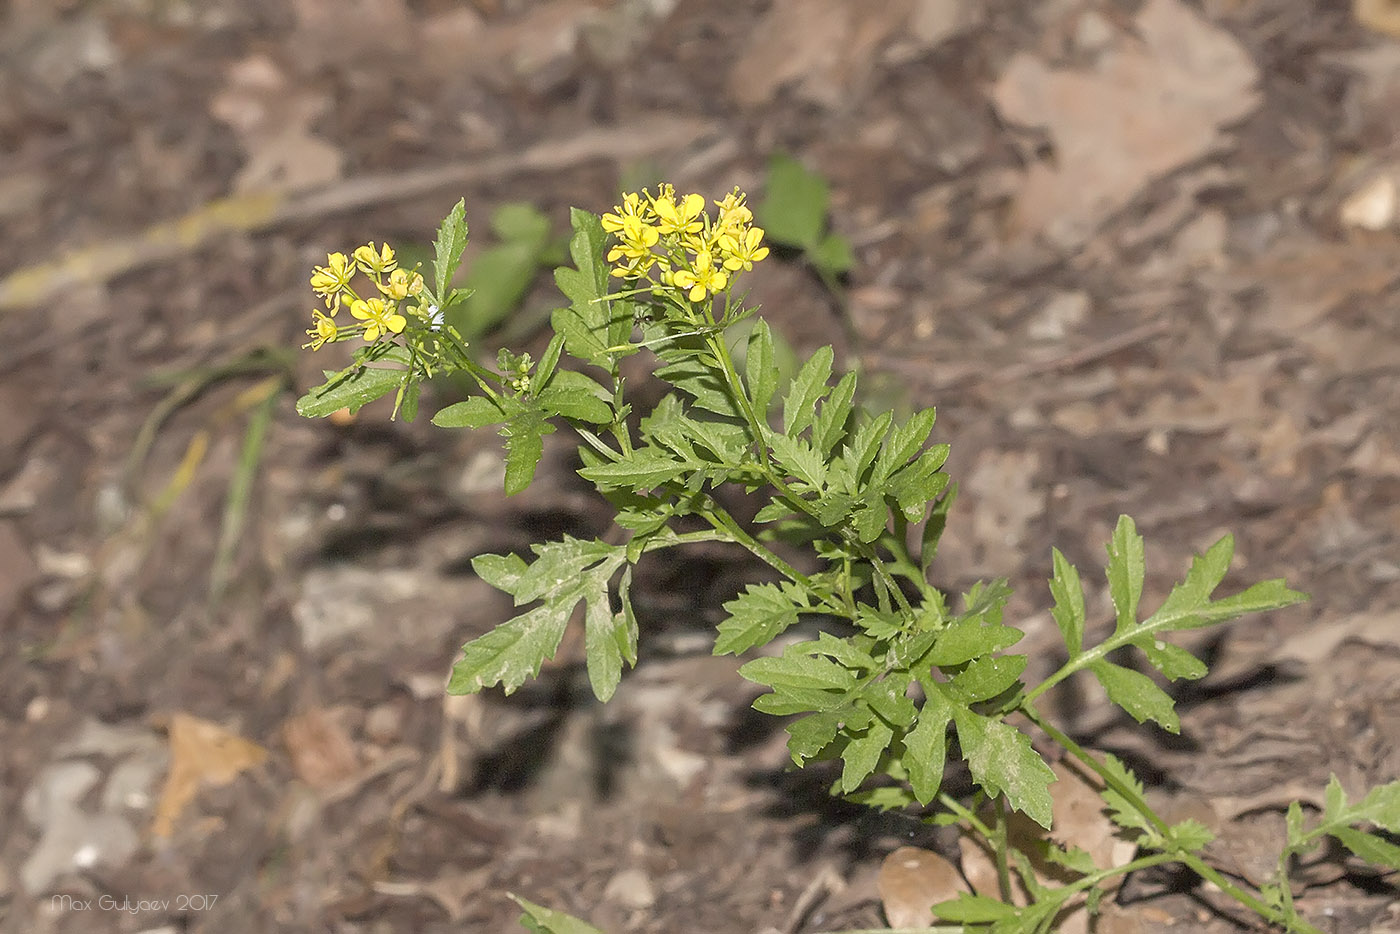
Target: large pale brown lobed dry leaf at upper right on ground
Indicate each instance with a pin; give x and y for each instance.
(1151, 106)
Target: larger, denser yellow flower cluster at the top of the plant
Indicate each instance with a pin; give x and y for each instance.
(677, 242)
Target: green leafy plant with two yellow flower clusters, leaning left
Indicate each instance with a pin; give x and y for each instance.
(864, 494)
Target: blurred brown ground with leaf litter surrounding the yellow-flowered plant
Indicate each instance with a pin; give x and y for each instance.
(1142, 256)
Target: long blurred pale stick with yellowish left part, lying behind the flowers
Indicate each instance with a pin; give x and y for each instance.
(267, 211)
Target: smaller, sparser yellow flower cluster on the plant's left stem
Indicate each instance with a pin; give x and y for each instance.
(376, 316)
